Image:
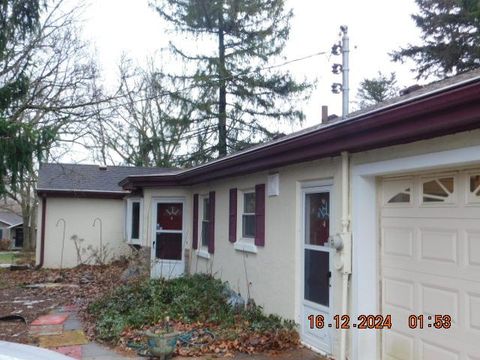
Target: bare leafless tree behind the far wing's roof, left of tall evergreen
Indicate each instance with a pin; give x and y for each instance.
(146, 124)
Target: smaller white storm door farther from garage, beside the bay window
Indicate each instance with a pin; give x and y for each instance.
(168, 239)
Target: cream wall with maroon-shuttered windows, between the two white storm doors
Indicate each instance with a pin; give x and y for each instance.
(274, 272)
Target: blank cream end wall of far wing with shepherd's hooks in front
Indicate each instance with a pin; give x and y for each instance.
(79, 215)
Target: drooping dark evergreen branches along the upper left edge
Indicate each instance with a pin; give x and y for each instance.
(19, 19)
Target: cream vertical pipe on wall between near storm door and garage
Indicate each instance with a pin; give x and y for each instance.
(346, 248)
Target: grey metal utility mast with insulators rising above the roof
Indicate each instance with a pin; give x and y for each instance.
(344, 68)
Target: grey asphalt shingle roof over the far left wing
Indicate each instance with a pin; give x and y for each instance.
(79, 177)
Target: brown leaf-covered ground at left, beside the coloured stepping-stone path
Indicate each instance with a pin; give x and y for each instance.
(52, 288)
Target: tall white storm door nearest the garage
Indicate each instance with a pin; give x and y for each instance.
(316, 272)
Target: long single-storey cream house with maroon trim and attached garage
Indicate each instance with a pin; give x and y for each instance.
(365, 231)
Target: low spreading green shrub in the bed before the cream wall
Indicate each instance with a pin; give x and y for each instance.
(189, 299)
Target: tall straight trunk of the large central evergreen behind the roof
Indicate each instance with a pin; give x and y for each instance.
(222, 98)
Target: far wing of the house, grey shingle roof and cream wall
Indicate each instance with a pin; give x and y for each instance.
(81, 213)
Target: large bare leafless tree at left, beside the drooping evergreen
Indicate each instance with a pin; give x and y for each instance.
(60, 96)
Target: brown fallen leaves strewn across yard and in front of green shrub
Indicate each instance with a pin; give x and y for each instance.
(84, 284)
